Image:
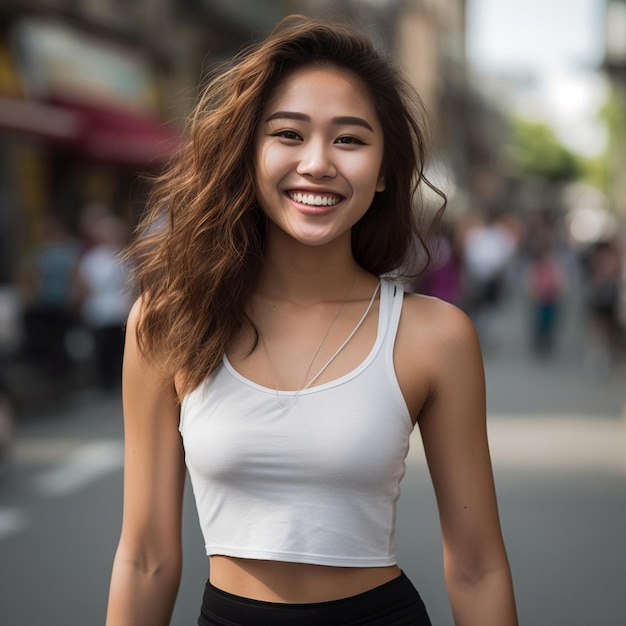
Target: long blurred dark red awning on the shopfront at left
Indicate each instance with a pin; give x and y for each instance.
(102, 134)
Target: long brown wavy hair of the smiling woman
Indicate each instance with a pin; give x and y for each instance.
(200, 245)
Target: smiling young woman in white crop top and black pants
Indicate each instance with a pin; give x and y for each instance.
(268, 356)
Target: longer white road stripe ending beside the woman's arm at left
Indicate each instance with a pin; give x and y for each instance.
(80, 468)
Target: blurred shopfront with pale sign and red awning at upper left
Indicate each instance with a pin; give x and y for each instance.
(81, 112)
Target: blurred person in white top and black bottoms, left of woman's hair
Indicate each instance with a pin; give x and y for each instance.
(103, 294)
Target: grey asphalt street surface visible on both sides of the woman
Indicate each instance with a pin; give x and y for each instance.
(558, 438)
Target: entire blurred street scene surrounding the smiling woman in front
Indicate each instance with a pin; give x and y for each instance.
(527, 106)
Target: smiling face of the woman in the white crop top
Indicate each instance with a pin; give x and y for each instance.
(318, 155)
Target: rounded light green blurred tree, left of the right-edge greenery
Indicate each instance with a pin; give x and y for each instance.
(536, 152)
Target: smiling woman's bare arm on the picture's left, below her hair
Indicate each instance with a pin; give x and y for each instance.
(147, 565)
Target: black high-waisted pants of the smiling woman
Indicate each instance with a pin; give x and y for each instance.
(396, 603)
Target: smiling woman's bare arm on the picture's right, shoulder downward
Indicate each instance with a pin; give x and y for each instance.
(453, 429)
